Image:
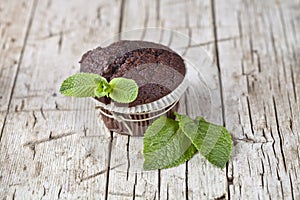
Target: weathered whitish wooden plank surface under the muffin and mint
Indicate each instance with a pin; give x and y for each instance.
(53, 147)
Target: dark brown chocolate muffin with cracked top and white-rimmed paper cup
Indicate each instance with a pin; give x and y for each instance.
(156, 69)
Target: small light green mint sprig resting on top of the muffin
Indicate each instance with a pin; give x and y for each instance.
(121, 90)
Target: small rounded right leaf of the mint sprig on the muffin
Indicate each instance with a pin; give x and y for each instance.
(123, 90)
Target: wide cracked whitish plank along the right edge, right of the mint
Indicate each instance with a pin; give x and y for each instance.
(258, 77)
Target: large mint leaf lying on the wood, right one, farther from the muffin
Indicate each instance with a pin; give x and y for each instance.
(212, 141)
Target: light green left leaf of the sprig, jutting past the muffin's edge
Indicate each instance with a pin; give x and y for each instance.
(80, 85)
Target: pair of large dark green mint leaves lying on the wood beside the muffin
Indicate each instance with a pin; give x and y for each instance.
(169, 143)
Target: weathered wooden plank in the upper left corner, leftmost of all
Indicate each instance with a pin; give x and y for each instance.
(14, 26)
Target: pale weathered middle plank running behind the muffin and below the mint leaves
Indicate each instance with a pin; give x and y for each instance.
(173, 183)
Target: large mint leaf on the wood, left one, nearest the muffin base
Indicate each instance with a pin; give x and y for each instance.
(165, 145)
